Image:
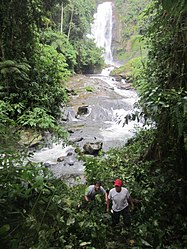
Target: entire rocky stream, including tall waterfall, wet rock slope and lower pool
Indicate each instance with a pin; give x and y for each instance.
(95, 114)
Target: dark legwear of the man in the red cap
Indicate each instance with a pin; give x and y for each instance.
(125, 214)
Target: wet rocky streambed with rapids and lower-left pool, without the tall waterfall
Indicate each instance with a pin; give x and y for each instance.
(92, 118)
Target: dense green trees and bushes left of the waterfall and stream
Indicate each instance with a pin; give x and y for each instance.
(36, 59)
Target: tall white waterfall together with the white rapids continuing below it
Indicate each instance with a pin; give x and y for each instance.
(101, 30)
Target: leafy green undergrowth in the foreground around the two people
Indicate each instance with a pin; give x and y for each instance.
(40, 211)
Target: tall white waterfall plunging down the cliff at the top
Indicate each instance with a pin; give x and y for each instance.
(101, 29)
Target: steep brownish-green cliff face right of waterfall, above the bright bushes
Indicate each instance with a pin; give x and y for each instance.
(126, 28)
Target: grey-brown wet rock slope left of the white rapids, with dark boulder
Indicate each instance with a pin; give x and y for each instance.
(89, 113)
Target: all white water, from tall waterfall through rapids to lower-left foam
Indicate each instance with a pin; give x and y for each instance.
(106, 117)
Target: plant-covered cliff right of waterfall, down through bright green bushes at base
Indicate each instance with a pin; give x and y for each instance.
(128, 44)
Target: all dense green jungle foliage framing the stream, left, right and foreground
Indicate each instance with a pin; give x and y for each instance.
(39, 211)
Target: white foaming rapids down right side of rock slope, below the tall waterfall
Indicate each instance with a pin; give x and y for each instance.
(117, 133)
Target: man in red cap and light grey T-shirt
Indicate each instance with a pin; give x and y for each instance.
(121, 199)
